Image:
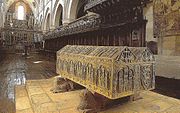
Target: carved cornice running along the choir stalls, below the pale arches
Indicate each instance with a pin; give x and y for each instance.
(83, 24)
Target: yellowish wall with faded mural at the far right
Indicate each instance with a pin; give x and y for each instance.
(167, 26)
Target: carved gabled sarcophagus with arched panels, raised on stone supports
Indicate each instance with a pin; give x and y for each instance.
(111, 71)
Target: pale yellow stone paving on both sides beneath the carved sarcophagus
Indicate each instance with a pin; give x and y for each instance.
(35, 97)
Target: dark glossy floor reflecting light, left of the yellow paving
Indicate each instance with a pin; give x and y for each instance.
(15, 69)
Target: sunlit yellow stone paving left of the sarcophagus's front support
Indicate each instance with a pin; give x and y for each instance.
(37, 98)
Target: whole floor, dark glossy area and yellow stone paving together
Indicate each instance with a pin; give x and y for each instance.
(16, 69)
